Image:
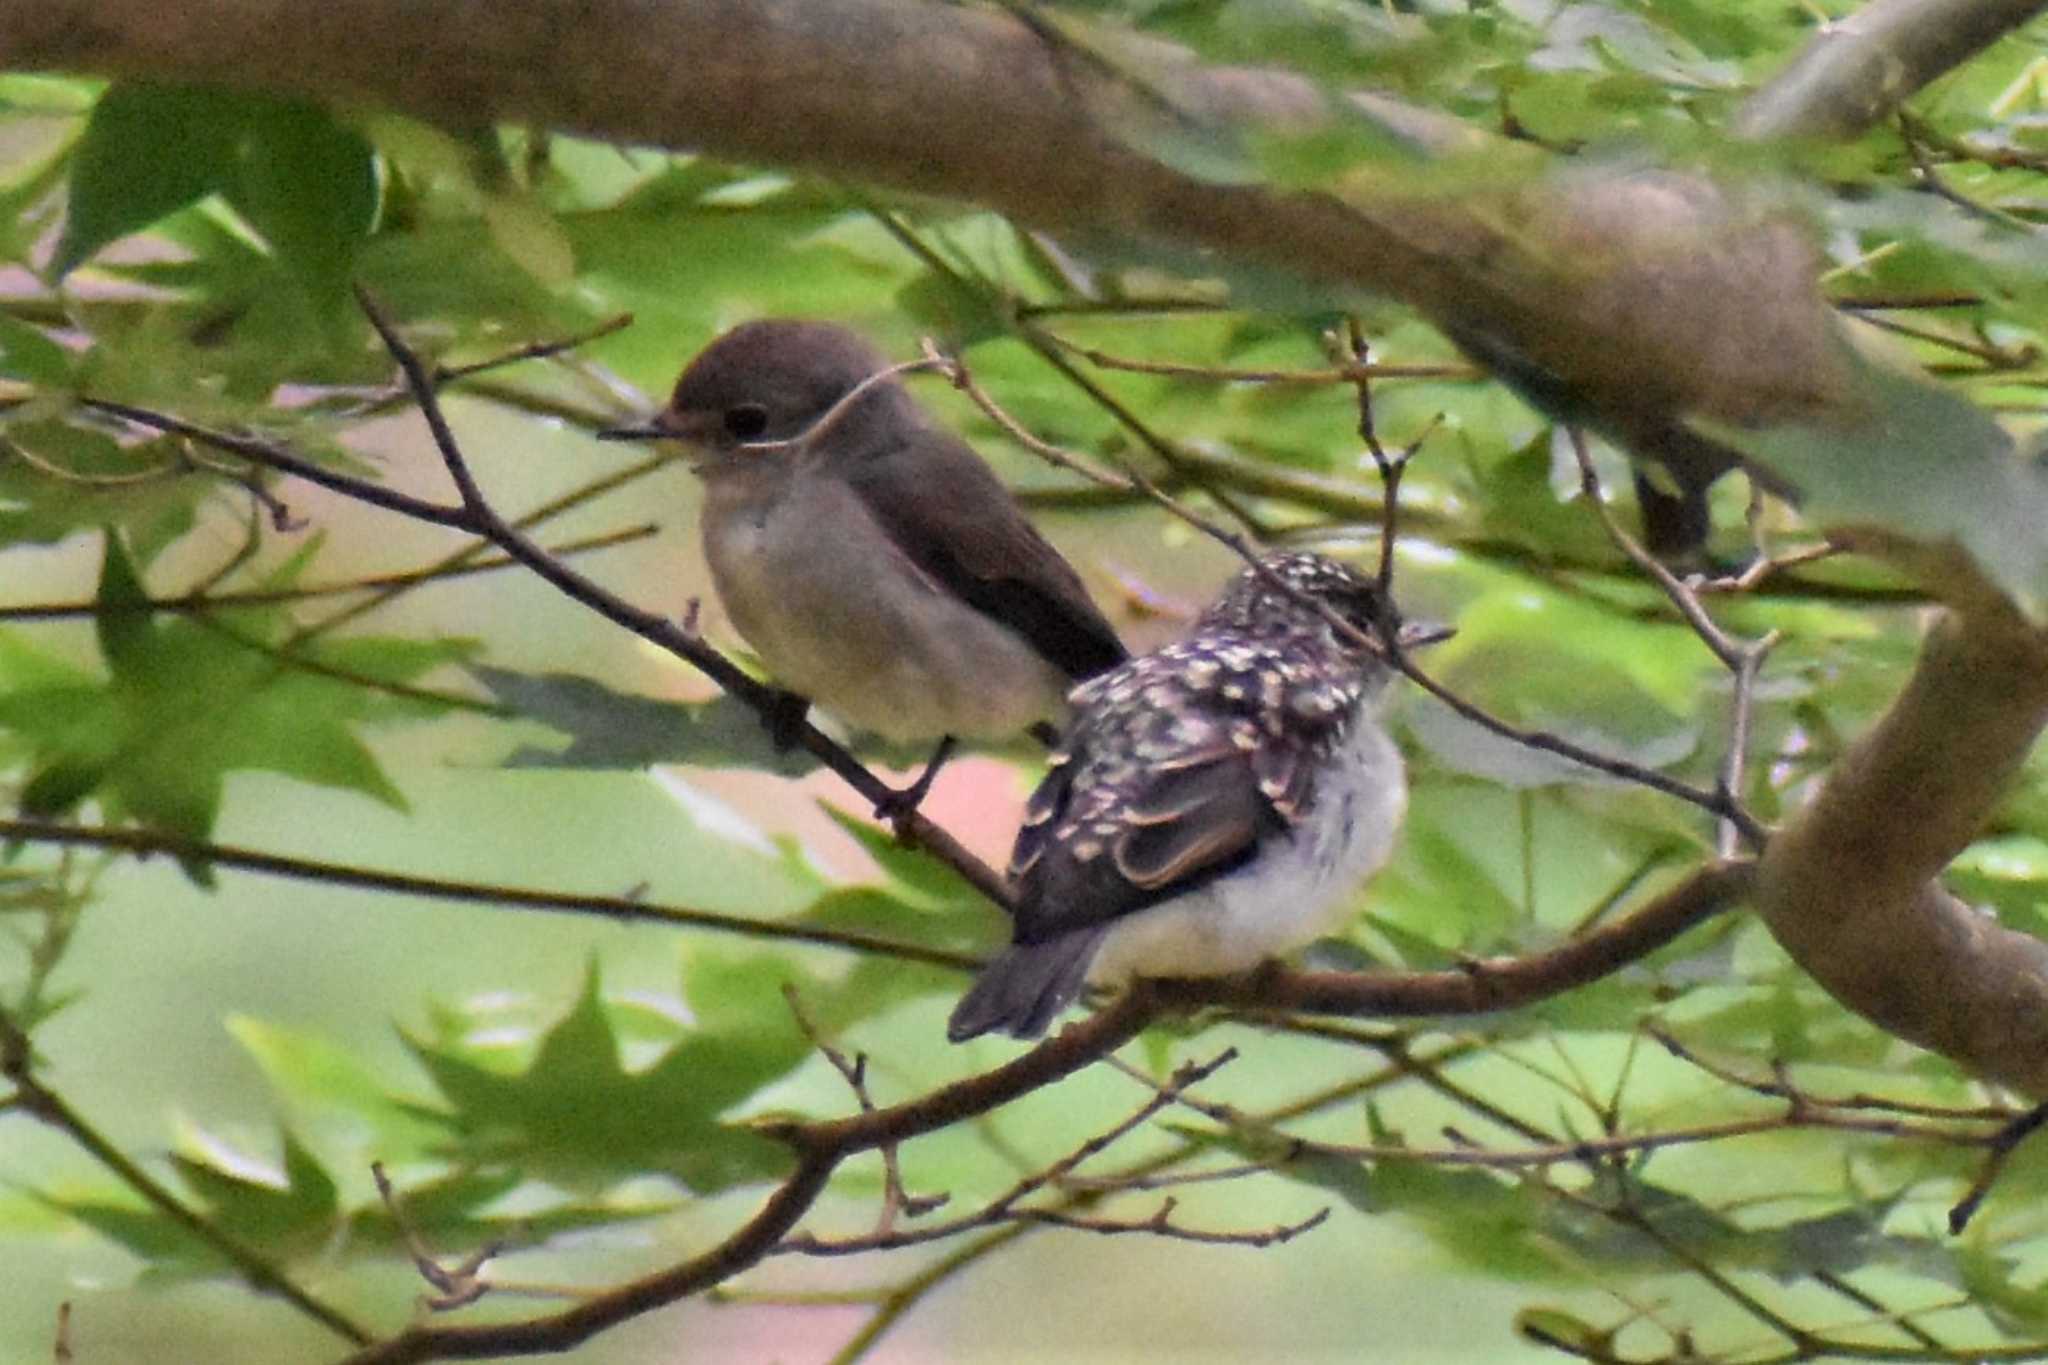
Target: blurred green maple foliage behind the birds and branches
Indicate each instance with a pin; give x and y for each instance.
(171, 635)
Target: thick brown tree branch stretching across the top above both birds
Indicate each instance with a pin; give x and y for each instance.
(1582, 275)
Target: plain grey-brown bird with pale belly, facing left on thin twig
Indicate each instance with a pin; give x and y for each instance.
(865, 554)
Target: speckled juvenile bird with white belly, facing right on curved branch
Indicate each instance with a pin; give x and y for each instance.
(1213, 803)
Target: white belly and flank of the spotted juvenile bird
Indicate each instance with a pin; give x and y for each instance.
(1302, 887)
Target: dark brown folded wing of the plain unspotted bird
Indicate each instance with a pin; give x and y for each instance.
(957, 523)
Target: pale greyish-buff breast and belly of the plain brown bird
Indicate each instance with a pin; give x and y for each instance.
(843, 619)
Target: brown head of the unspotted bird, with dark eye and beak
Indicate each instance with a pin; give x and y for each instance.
(781, 382)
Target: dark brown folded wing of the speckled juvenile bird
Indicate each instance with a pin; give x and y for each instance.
(1172, 828)
